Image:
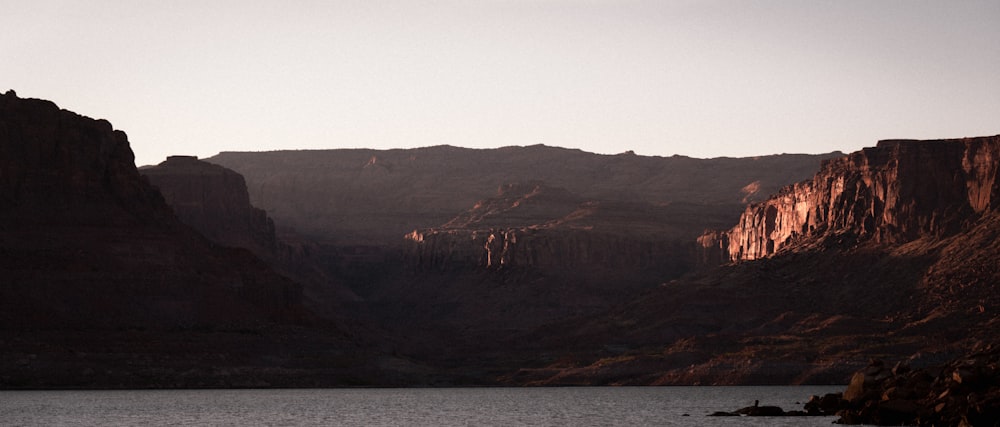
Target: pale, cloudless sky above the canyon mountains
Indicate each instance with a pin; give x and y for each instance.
(732, 78)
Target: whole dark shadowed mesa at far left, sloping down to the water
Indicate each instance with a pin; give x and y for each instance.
(104, 287)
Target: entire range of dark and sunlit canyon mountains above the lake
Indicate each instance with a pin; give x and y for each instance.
(518, 266)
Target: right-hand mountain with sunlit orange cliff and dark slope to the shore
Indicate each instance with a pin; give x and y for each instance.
(886, 253)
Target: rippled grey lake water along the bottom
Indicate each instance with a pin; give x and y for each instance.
(572, 406)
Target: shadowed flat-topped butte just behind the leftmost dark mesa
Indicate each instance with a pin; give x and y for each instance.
(214, 200)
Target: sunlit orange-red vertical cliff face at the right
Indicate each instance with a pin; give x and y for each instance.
(892, 193)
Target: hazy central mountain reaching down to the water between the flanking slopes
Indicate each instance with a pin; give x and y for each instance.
(456, 253)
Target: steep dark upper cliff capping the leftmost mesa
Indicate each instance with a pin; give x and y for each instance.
(52, 160)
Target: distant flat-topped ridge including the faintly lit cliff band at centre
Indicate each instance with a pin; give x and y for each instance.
(529, 206)
